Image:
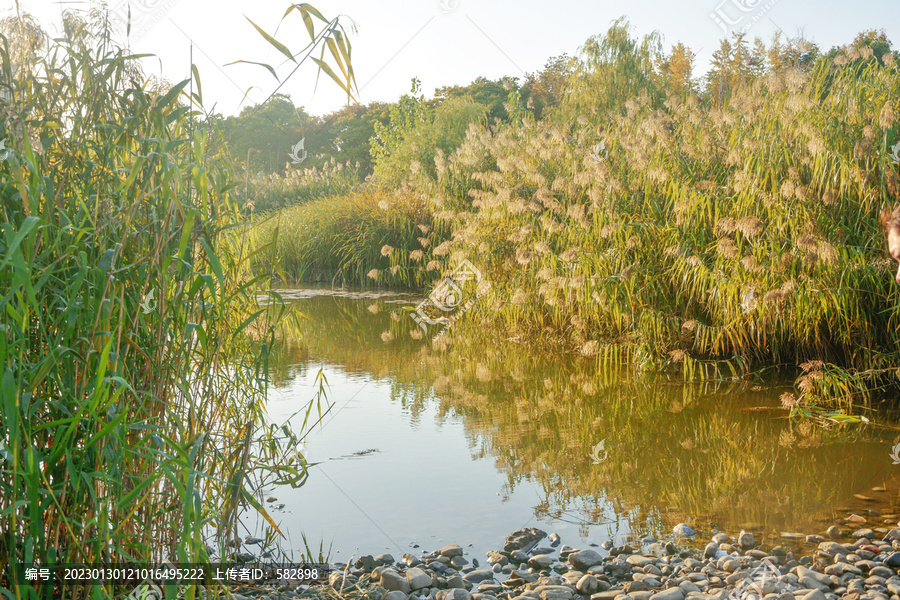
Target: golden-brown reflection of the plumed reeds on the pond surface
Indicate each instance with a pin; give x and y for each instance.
(716, 452)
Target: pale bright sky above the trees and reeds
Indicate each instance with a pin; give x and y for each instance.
(442, 42)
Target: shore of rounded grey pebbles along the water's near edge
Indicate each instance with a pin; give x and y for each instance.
(689, 566)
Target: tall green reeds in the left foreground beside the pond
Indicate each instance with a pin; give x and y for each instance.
(130, 390)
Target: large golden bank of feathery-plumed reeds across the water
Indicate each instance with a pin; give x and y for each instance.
(708, 234)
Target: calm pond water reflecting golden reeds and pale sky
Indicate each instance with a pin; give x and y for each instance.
(468, 439)
